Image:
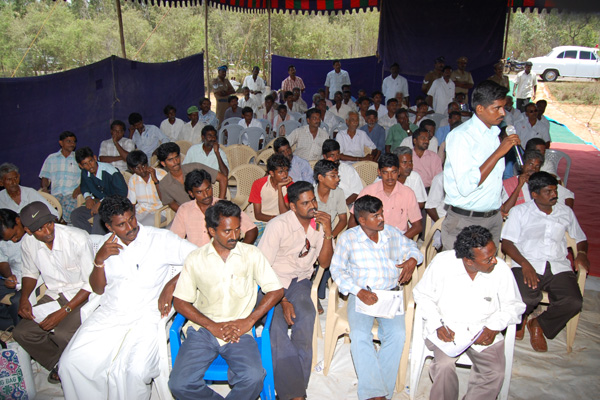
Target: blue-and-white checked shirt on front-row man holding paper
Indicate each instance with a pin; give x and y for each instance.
(358, 262)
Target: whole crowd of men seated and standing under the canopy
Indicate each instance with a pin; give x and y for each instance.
(440, 156)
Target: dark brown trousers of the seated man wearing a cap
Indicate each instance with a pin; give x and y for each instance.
(43, 346)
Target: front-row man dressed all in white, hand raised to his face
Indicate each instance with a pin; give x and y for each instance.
(114, 354)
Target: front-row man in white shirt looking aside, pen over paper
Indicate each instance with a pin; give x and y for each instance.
(468, 290)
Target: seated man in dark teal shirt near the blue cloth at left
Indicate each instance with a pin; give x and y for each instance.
(98, 180)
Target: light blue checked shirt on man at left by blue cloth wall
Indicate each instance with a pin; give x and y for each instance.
(63, 172)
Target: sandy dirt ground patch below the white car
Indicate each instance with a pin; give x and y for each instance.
(582, 120)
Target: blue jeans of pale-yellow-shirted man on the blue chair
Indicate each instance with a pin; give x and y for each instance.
(199, 350)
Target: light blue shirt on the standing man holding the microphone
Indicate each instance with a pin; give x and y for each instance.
(467, 148)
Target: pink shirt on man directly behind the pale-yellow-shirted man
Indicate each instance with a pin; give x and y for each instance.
(189, 223)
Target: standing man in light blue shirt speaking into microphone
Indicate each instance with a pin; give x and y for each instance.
(474, 166)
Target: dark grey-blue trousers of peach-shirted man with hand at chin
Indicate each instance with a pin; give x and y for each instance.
(292, 356)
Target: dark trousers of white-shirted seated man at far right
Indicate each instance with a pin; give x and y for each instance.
(564, 295)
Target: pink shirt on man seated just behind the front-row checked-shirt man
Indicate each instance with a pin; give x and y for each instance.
(399, 207)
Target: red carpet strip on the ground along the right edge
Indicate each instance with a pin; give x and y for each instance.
(584, 181)
